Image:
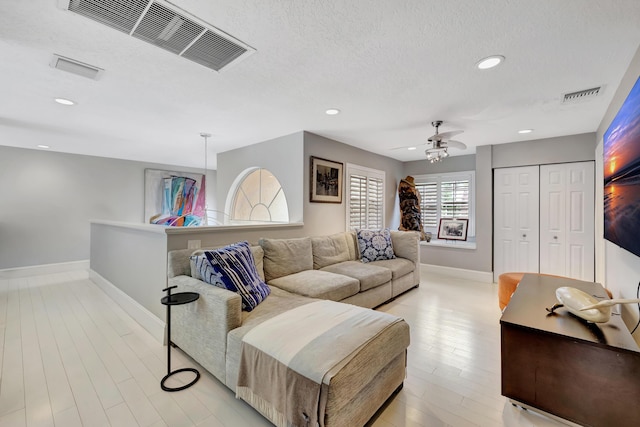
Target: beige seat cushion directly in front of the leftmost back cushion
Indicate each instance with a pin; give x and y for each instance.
(318, 284)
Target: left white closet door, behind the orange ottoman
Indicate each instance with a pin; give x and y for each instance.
(516, 224)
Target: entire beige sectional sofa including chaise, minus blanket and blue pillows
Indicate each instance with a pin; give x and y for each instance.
(300, 271)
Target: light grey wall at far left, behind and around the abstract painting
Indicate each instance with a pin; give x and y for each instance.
(48, 198)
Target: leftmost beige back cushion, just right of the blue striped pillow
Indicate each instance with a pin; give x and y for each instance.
(286, 256)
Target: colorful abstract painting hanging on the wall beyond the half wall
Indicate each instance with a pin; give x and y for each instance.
(174, 198)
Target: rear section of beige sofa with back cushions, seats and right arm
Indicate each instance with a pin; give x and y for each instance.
(329, 267)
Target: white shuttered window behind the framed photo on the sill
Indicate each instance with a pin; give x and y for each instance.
(446, 196)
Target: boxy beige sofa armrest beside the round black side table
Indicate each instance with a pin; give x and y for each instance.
(200, 328)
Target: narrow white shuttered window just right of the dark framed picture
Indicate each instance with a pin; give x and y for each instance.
(365, 197)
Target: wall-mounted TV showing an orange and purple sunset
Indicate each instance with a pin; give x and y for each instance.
(622, 175)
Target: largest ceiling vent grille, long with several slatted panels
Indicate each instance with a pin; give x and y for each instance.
(160, 24)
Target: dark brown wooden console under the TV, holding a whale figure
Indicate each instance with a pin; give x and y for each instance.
(586, 373)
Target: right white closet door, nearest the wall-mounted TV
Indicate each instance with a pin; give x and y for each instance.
(567, 220)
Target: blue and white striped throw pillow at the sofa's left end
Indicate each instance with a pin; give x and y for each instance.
(234, 269)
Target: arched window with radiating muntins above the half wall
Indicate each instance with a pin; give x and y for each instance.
(259, 197)
